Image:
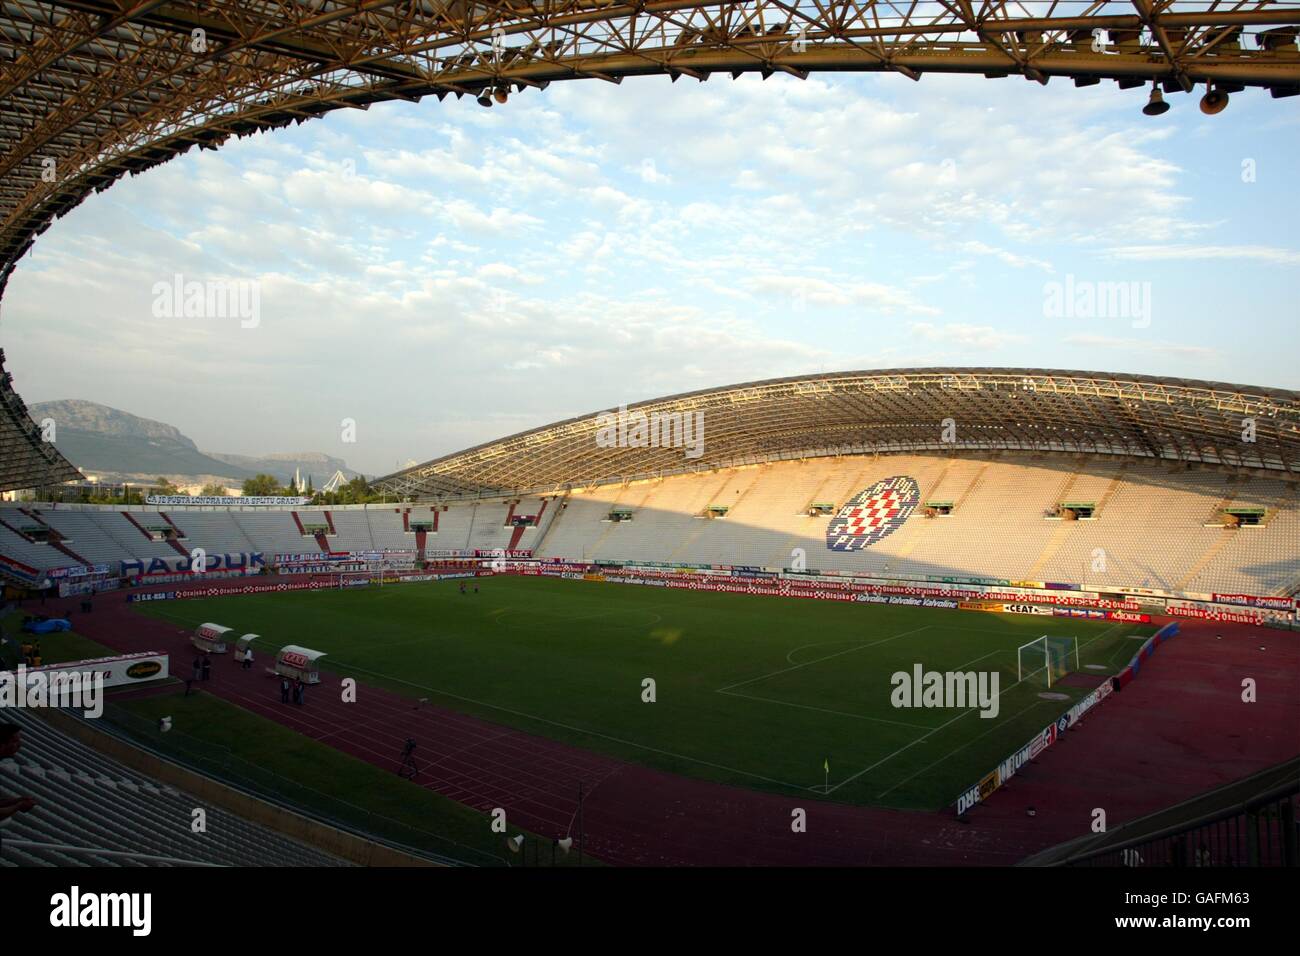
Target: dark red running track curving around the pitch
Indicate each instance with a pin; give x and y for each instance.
(1177, 730)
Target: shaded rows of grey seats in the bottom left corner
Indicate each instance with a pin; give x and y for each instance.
(94, 812)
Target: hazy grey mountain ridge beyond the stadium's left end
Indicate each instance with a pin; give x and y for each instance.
(115, 445)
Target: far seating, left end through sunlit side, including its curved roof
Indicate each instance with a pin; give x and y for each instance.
(1061, 477)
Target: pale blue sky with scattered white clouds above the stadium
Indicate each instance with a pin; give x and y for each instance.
(445, 275)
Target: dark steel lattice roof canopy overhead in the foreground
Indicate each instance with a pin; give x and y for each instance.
(92, 90)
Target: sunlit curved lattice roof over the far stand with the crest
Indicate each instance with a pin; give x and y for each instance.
(926, 410)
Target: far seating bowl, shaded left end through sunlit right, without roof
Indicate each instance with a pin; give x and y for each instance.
(1156, 525)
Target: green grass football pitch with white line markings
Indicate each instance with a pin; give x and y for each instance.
(752, 691)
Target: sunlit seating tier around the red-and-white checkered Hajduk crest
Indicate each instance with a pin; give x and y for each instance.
(1002, 526)
